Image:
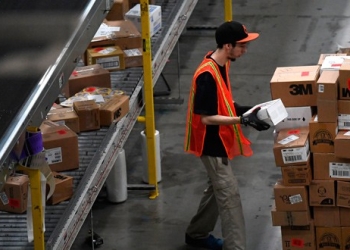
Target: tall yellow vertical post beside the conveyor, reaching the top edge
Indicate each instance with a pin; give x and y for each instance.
(148, 93)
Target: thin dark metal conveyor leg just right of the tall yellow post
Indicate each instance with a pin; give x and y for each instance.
(170, 100)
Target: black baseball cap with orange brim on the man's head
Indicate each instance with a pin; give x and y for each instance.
(233, 32)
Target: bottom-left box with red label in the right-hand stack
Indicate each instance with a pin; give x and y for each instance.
(298, 237)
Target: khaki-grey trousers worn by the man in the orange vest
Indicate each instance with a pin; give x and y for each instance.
(220, 198)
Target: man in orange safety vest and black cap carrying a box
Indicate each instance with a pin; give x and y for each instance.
(213, 133)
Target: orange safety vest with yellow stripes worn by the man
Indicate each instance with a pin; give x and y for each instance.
(231, 135)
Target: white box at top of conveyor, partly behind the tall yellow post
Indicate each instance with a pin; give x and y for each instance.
(155, 15)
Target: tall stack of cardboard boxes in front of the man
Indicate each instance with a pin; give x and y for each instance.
(312, 200)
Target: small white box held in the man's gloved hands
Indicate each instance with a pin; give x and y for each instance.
(271, 112)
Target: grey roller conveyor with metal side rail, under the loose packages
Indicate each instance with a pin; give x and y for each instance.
(98, 149)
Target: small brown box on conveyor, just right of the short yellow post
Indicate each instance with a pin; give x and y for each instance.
(63, 188)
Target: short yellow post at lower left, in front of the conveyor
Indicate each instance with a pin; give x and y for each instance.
(37, 206)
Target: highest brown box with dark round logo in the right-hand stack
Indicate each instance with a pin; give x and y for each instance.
(322, 136)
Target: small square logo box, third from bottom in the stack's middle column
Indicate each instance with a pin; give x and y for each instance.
(322, 193)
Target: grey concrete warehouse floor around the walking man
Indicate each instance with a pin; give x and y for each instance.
(292, 33)
